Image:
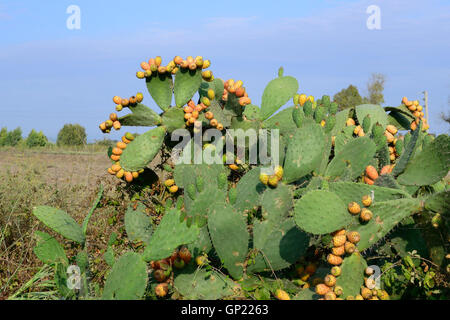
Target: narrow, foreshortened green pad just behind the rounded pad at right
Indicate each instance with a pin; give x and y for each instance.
(351, 191)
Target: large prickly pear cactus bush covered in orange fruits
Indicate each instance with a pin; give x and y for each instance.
(350, 176)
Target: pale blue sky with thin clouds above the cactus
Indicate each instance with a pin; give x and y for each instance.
(52, 75)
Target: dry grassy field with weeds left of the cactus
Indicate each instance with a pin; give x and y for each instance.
(68, 179)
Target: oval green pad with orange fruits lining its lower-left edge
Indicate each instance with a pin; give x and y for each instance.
(142, 150)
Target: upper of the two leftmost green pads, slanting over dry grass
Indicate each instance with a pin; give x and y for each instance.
(61, 222)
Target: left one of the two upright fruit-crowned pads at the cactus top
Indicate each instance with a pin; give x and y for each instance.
(160, 88)
